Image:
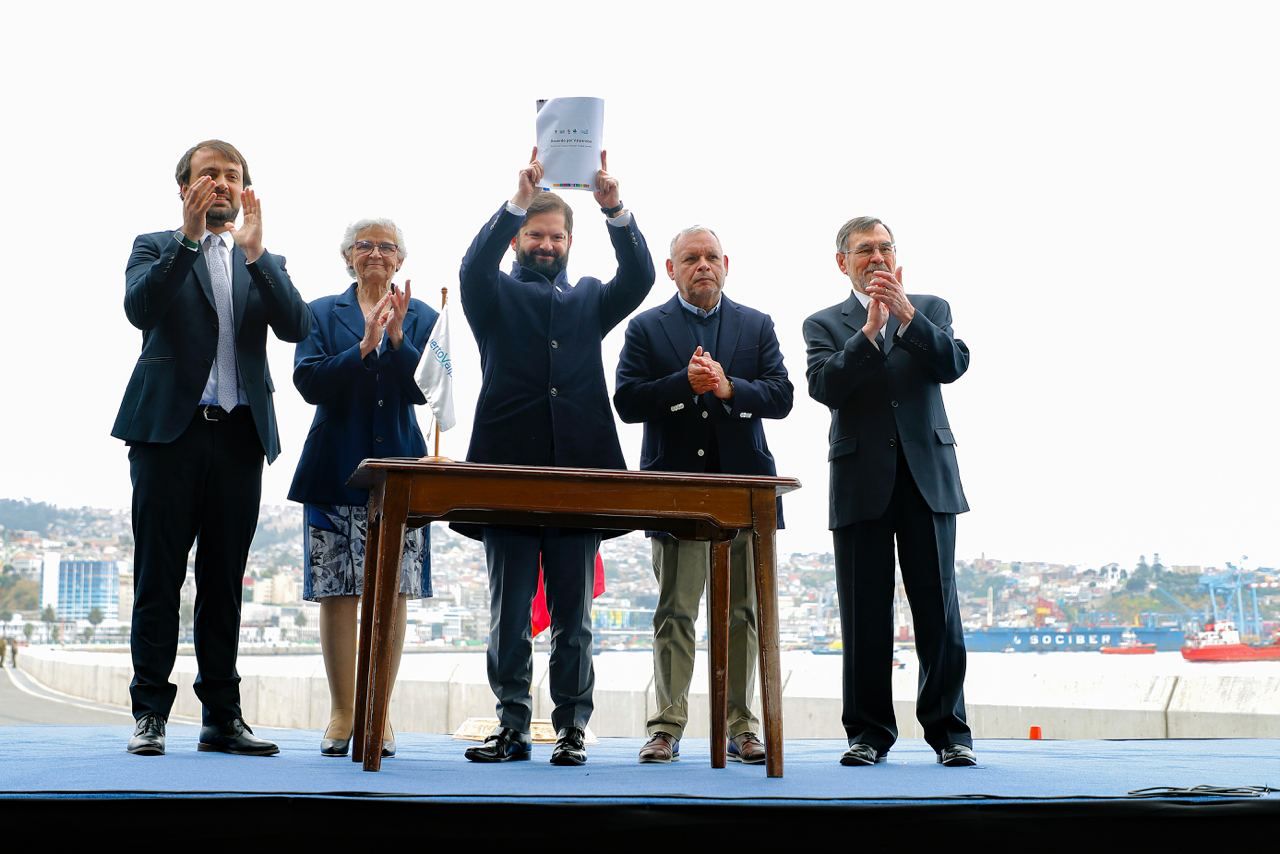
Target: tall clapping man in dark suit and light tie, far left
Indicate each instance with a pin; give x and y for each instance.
(199, 421)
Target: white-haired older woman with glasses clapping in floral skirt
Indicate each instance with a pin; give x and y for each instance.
(358, 368)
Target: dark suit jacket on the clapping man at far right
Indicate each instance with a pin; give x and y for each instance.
(883, 399)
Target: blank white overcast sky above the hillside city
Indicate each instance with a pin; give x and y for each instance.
(1092, 186)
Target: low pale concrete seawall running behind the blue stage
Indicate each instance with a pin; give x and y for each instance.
(438, 692)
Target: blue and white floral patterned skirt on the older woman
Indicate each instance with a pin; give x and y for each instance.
(335, 555)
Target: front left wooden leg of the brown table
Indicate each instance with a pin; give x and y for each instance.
(391, 547)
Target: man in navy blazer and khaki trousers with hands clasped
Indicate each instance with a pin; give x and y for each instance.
(702, 414)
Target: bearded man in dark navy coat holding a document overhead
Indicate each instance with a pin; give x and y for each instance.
(543, 403)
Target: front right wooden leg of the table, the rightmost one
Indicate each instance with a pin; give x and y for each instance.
(766, 522)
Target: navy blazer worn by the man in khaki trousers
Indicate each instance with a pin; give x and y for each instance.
(653, 387)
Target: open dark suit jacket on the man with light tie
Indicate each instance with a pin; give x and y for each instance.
(170, 298)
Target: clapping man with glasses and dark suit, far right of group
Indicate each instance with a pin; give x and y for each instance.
(880, 360)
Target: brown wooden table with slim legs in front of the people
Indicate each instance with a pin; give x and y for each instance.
(701, 508)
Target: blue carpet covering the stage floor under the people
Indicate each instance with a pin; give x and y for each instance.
(86, 761)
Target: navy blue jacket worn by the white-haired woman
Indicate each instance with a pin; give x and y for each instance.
(364, 407)
